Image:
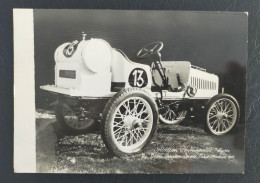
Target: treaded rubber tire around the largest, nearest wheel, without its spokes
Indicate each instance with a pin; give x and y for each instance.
(108, 115)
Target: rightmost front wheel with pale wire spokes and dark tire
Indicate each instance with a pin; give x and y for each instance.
(222, 114)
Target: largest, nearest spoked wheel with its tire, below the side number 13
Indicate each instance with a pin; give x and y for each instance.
(129, 121)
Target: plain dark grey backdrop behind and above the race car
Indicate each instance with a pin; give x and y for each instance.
(212, 40)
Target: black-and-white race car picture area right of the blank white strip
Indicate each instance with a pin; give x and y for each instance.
(139, 92)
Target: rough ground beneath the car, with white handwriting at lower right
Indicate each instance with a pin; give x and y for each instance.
(183, 148)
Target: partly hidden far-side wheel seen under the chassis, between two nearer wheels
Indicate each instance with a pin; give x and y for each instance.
(168, 116)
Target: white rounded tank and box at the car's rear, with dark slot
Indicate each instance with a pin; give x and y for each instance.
(84, 67)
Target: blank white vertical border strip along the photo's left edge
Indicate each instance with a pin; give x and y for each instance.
(24, 92)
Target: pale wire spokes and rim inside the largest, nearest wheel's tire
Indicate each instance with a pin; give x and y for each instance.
(132, 123)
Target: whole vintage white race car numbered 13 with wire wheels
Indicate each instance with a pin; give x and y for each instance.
(96, 83)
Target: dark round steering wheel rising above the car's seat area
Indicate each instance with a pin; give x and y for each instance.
(150, 49)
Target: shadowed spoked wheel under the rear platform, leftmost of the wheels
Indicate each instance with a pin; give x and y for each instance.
(74, 120)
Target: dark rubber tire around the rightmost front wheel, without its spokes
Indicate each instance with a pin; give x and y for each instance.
(214, 99)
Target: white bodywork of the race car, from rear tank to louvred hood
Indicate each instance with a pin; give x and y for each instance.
(81, 71)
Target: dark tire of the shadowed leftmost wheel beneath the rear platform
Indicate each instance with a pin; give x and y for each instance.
(93, 126)
